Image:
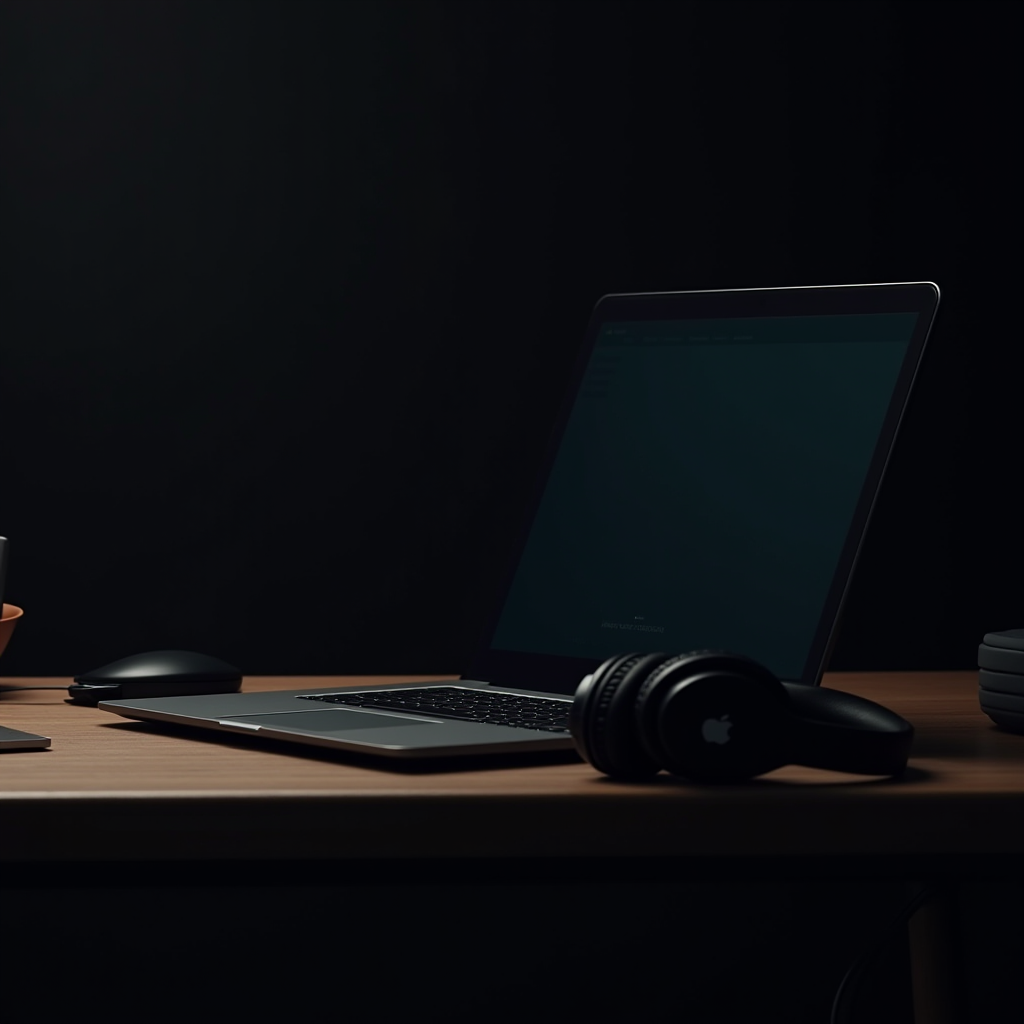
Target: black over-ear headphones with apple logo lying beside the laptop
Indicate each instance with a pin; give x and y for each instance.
(714, 717)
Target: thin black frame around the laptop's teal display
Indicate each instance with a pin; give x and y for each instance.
(562, 675)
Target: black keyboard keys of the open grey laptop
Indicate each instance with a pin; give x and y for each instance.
(465, 705)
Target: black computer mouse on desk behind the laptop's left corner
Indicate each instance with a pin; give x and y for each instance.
(157, 674)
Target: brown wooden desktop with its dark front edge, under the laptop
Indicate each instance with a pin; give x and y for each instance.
(114, 790)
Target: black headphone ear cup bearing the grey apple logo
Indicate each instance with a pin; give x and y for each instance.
(714, 717)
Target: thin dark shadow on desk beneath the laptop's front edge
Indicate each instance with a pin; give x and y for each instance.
(433, 766)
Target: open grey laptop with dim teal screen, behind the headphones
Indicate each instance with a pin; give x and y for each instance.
(709, 483)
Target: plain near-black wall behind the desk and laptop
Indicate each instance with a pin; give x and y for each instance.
(290, 292)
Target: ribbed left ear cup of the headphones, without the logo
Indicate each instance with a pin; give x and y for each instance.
(602, 718)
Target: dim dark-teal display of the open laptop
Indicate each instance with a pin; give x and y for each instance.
(705, 487)
